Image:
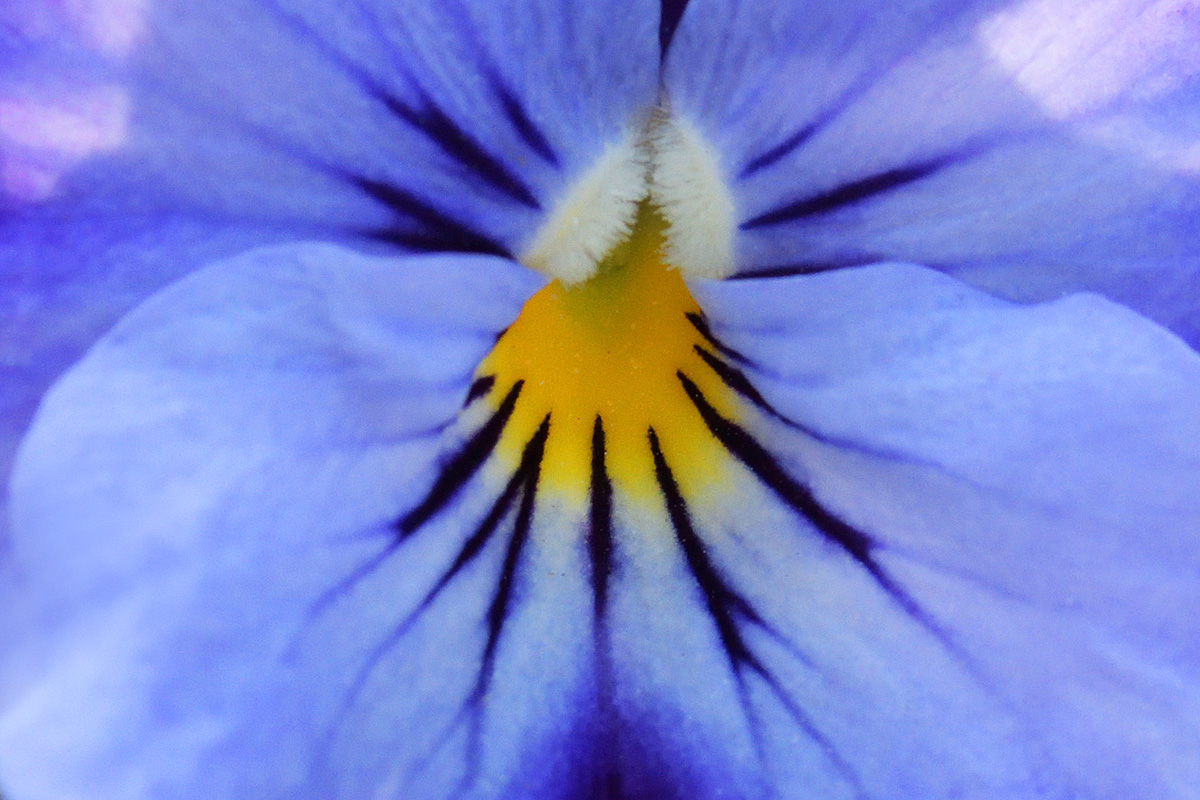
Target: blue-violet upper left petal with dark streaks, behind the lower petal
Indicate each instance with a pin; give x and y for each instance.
(142, 139)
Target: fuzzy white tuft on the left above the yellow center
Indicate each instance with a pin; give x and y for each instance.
(597, 214)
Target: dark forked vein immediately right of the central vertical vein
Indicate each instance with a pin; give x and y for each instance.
(725, 607)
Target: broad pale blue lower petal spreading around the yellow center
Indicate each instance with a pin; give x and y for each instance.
(209, 507)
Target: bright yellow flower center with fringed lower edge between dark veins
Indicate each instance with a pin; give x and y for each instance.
(613, 348)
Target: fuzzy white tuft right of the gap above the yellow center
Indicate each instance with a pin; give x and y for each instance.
(691, 190)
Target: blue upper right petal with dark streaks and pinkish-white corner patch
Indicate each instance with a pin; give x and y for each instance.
(1030, 148)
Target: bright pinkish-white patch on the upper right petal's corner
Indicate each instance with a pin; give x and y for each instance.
(1077, 56)
